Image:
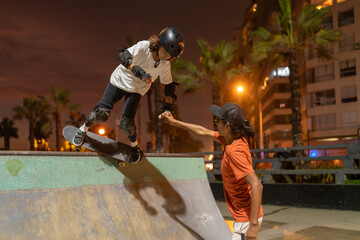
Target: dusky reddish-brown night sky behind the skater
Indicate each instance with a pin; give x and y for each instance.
(73, 45)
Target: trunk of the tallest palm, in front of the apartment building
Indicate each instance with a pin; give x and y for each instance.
(294, 79)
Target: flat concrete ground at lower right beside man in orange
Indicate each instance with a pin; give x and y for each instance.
(294, 223)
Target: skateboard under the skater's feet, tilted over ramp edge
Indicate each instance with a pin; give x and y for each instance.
(102, 145)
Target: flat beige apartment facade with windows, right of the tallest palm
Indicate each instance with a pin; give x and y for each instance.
(332, 105)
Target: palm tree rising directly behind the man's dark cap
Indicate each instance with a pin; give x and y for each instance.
(217, 67)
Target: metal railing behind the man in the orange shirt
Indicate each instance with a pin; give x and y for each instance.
(347, 155)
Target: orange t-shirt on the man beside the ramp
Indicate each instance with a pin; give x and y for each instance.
(236, 163)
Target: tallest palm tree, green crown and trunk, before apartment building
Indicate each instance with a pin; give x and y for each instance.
(294, 35)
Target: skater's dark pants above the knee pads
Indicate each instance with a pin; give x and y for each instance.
(112, 95)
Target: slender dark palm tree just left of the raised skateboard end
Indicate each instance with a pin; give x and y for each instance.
(61, 102)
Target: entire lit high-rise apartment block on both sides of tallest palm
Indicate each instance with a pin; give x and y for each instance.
(330, 107)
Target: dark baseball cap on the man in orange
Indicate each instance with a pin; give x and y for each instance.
(230, 112)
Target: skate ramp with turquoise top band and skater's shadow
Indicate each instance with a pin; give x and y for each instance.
(85, 196)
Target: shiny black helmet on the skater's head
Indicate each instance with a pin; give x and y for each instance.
(172, 40)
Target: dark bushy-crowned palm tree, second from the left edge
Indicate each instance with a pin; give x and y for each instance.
(33, 110)
